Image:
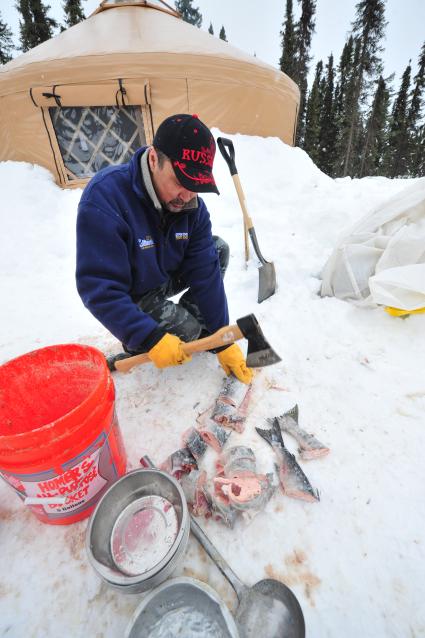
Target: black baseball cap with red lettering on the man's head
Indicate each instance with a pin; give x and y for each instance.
(190, 146)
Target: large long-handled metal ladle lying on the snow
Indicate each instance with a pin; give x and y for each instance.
(268, 609)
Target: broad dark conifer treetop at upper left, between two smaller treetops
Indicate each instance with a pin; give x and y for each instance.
(36, 26)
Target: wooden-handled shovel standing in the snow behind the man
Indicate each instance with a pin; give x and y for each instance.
(267, 273)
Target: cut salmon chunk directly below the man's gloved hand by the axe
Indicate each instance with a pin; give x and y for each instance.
(231, 405)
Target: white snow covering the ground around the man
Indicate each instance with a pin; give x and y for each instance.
(356, 559)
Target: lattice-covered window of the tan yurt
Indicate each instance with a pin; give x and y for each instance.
(91, 138)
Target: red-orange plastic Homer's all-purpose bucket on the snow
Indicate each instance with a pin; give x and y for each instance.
(60, 441)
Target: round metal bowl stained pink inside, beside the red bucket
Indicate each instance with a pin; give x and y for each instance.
(139, 530)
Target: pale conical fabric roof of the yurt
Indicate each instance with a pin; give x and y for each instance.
(126, 35)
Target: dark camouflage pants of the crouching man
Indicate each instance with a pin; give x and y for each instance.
(182, 319)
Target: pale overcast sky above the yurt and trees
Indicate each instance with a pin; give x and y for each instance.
(254, 26)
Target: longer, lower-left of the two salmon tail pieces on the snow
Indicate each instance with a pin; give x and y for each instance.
(292, 479)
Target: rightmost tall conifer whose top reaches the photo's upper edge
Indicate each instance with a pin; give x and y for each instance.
(368, 28)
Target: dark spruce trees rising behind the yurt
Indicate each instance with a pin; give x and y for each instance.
(352, 120)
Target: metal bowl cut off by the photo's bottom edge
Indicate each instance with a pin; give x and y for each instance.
(182, 607)
